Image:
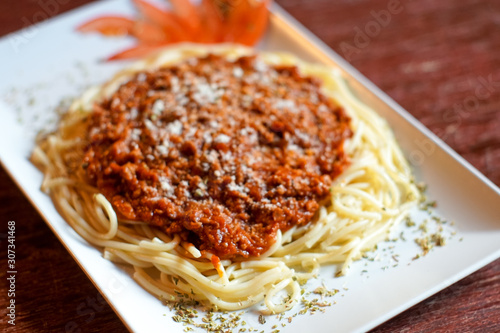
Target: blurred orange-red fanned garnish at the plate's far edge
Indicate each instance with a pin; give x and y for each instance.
(211, 21)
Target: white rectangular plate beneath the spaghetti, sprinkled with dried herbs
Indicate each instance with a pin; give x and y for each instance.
(51, 62)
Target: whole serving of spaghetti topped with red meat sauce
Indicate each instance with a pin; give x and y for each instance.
(226, 176)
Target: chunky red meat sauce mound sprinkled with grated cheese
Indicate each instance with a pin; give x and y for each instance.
(222, 153)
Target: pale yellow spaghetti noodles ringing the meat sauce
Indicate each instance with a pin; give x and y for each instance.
(369, 197)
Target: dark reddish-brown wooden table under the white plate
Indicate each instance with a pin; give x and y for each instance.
(431, 56)
